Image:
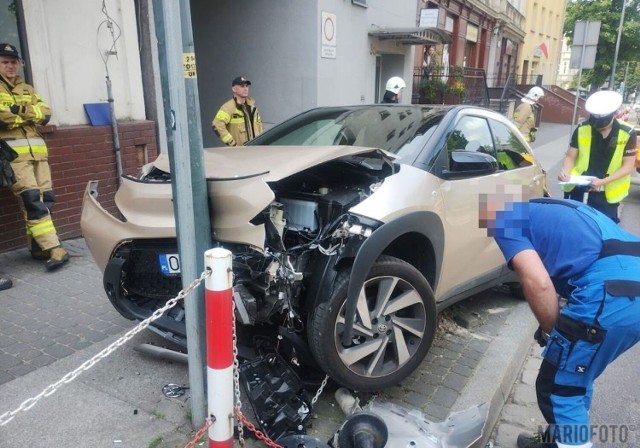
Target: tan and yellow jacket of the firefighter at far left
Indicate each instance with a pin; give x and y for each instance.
(19, 129)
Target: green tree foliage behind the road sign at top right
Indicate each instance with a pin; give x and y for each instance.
(609, 12)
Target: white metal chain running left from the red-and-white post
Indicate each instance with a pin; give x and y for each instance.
(52, 388)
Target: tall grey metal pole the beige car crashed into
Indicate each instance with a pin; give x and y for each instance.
(189, 190)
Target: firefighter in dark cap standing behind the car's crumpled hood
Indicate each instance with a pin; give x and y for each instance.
(238, 120)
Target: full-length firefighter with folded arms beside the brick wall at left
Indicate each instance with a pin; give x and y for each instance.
(21, 109)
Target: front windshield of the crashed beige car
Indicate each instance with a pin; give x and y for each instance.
(400, 130)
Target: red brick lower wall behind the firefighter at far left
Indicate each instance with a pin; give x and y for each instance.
(78, 154)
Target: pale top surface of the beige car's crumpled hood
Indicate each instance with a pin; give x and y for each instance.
(269, 163)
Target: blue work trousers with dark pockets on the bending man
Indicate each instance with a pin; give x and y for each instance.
(600, 322)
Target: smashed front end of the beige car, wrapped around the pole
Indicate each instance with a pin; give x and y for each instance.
(286, 228)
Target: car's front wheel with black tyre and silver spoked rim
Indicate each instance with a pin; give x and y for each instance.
(395, 324)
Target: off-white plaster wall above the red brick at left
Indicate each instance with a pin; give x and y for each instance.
(66, 41)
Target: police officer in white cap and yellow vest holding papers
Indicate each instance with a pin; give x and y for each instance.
(602, 147)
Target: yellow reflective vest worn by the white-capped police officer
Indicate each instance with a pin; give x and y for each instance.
(616, 190)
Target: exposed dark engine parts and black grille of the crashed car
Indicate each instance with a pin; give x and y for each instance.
(308, 229)
